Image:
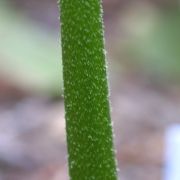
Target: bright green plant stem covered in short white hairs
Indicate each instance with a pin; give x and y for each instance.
(88, 124)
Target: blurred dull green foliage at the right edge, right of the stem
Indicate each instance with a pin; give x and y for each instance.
(159, 50)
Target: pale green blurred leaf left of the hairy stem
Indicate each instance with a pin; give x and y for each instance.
(29, 54)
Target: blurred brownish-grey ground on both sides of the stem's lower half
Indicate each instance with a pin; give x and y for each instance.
(33, 134)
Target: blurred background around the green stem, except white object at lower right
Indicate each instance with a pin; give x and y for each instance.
(142, 41)
